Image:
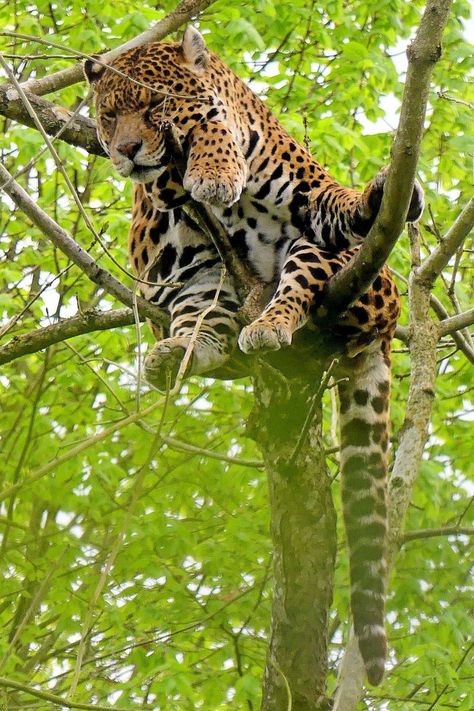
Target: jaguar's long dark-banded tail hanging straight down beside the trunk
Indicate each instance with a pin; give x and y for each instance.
(364, 420)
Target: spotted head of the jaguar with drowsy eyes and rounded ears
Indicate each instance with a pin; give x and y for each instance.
(146, 88)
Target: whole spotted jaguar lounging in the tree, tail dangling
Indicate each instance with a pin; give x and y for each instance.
(293, 226)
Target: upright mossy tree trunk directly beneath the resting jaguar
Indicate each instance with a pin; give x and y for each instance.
(304, 536)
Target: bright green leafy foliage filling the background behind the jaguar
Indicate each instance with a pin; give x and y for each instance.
(180, 618)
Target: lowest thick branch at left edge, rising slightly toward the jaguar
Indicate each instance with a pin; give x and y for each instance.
(86, 322)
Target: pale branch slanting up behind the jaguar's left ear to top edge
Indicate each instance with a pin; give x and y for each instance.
(183, 13)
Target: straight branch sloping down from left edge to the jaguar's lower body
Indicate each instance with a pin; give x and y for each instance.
(79, 256)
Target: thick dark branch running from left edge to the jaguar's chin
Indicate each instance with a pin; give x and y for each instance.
(78, 131)
